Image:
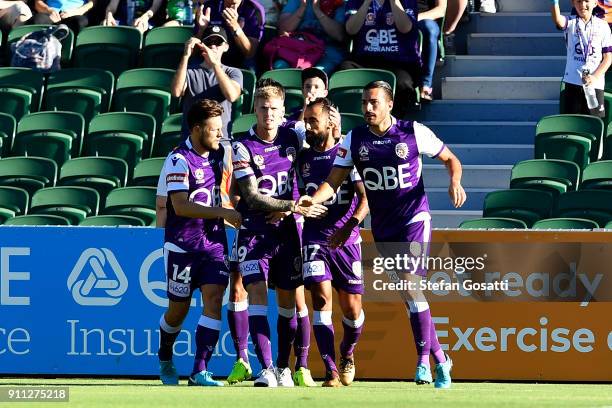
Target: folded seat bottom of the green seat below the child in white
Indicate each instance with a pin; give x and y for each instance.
(568, 147)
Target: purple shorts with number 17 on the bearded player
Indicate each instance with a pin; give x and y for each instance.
(341, 266)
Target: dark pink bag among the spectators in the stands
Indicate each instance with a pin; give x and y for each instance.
(299, 49)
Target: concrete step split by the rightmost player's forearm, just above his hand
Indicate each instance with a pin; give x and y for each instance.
(495, 177)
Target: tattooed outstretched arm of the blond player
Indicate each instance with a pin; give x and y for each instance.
(258, 201)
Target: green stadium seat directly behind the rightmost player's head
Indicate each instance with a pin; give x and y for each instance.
(346, 87)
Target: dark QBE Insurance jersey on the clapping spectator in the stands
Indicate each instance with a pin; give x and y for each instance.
(380, 38)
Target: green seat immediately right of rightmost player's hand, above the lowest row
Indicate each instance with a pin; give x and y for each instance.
(521, 204)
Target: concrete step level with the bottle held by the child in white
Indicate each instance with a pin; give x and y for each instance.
(501, 88)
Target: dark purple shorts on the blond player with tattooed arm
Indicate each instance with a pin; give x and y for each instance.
(273, 257)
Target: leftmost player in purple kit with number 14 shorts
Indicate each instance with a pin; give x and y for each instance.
(195, 247)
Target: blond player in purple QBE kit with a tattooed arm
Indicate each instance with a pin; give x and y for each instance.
(268, 244)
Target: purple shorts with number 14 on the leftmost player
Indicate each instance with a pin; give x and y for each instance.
(188, 271)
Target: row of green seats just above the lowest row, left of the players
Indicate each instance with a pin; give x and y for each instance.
(78, 203)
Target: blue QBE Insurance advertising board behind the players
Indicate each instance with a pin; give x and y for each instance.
(78, 300)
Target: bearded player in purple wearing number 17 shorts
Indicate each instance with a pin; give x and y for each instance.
(331, 250)
